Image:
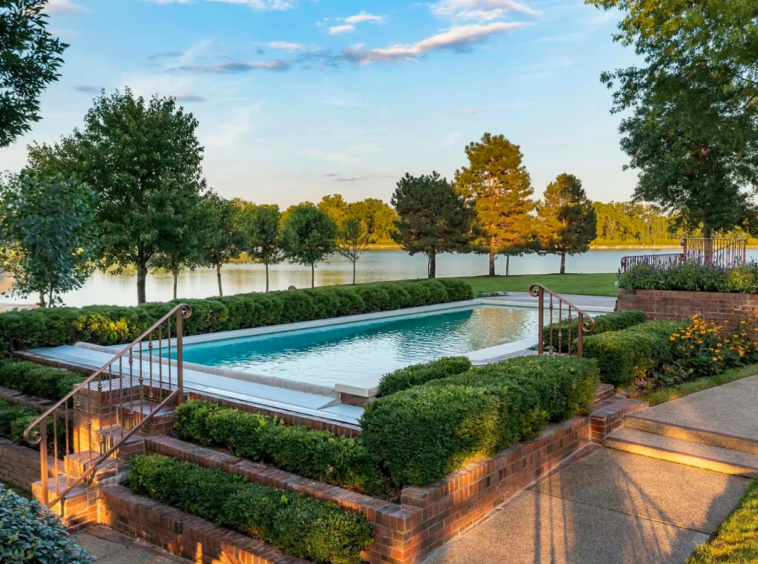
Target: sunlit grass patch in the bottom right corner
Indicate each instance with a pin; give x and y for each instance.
(736, 540)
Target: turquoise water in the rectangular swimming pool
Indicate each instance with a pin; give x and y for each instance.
(327, 355)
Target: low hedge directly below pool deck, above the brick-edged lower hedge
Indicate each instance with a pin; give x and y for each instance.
(318, 455)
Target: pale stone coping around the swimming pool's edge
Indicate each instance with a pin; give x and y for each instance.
(361, 388)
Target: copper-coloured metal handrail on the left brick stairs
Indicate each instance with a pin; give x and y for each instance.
(35, 437)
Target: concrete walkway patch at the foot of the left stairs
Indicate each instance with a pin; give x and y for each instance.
(111, 547)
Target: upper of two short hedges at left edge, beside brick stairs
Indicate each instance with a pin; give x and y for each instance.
(36, 380)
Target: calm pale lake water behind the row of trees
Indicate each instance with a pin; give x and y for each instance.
(103, 288)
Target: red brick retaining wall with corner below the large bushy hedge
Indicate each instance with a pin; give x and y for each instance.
(428, 517)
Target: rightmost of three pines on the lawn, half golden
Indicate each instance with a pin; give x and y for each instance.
(567, 221)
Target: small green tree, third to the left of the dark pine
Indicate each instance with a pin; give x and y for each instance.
(263, 235)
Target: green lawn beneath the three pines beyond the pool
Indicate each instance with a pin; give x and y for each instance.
(587, 284)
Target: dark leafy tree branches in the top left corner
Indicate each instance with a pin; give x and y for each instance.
(29, 60)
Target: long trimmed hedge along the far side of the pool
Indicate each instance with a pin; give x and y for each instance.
(108, 325)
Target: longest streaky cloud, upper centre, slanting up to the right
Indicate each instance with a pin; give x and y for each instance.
(457, 38)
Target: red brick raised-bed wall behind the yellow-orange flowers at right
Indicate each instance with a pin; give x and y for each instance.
(677, 306)
